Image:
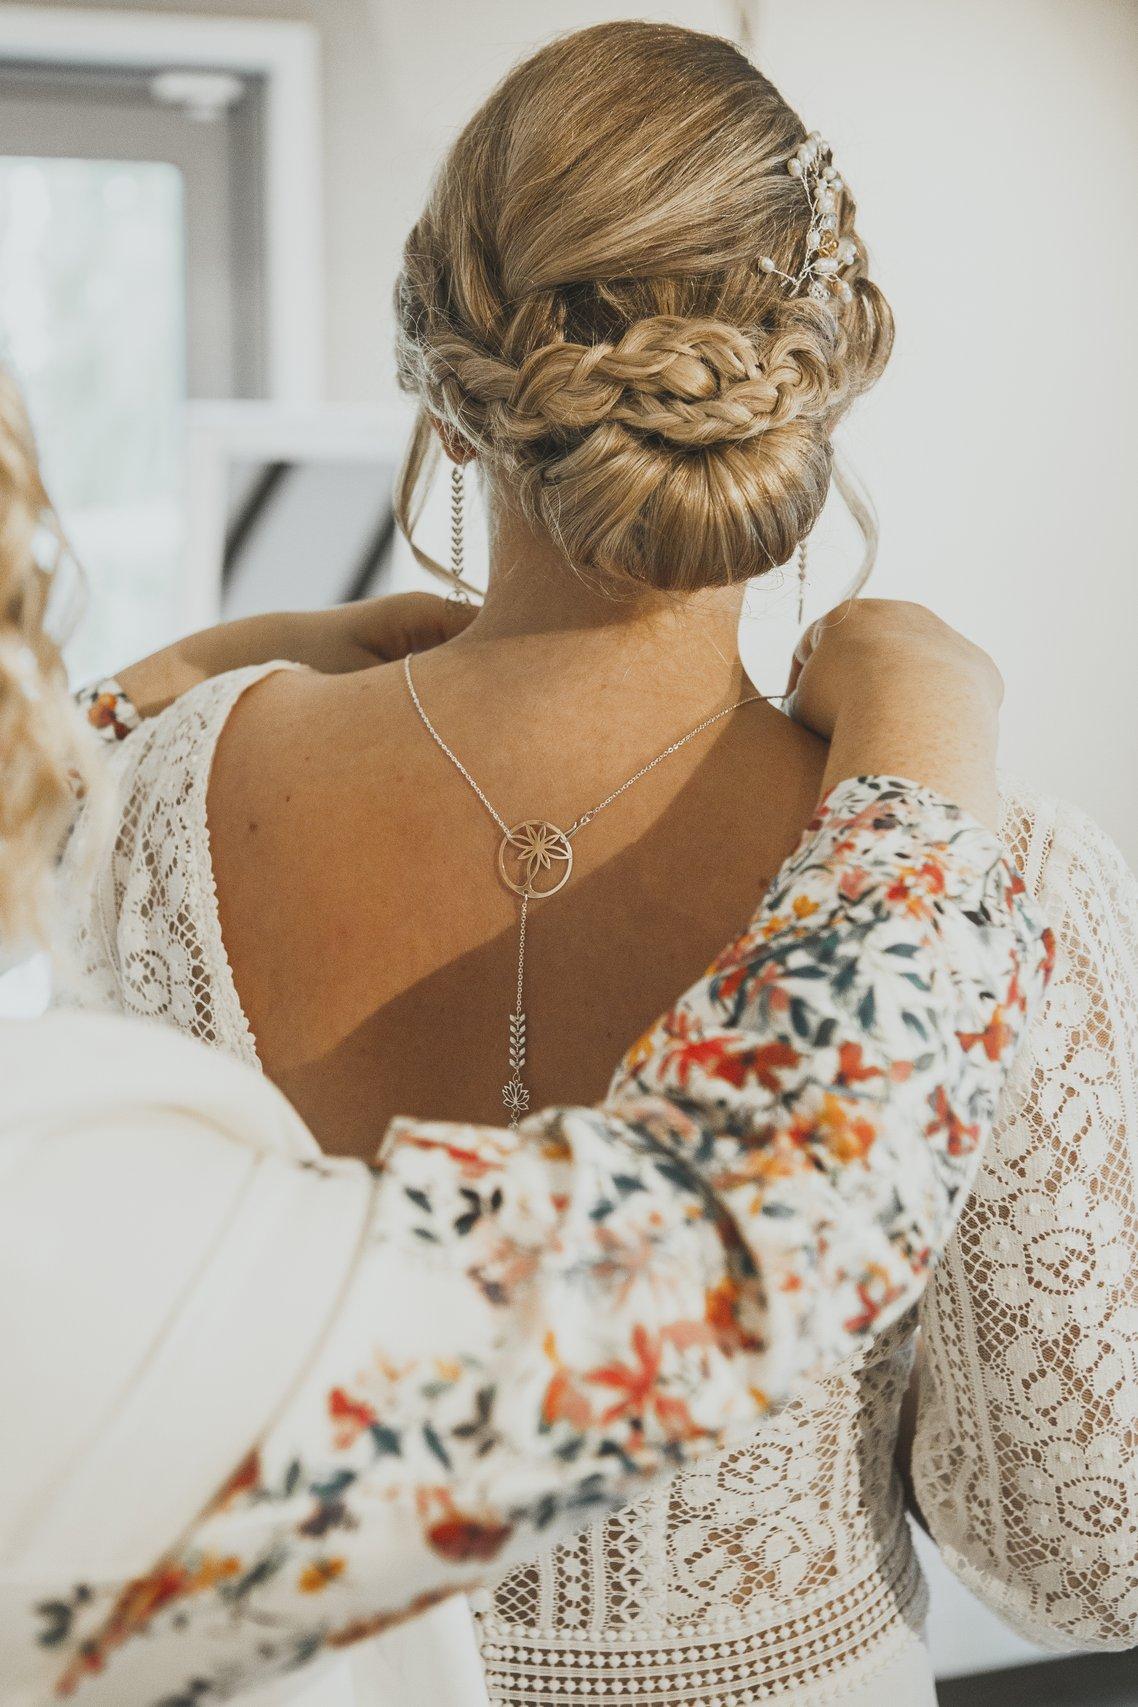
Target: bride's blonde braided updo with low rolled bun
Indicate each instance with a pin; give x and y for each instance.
(583, 301)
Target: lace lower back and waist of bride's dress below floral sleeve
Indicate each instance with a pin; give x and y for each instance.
(775, 1568)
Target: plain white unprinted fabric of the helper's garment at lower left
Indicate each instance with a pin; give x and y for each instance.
(96, 1110)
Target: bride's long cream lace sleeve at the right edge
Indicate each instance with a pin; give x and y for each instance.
(1026, 1464)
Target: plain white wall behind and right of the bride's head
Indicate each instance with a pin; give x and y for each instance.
(992, 146)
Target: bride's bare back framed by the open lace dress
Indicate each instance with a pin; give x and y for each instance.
(373, 945)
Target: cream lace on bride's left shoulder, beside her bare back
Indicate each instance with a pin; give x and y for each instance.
(144, 936)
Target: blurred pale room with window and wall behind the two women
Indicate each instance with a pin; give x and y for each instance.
(200, 224)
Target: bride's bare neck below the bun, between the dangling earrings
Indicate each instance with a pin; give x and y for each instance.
(542, 615)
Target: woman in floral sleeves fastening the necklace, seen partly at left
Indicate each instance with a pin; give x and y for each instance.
(192, 1300)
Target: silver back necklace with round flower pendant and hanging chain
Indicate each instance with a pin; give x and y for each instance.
(535, 861)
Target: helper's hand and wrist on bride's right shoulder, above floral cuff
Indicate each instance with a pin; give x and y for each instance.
(900, 694)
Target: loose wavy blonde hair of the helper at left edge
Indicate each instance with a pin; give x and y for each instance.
(45, 757)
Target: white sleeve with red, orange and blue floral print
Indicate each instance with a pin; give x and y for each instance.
(543, 1320)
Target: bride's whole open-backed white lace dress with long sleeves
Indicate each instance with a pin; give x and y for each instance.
(786, 1571)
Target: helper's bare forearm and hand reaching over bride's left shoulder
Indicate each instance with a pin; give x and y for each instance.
(334, 643)
